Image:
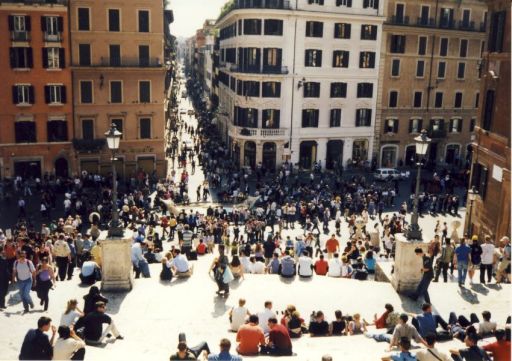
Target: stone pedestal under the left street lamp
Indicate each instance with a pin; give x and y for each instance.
(116, 272)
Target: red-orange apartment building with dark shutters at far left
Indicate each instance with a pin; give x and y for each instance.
(36, 115)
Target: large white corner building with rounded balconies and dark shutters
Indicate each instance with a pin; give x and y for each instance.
(298, 80)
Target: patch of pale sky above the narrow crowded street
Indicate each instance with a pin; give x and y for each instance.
(189, 15)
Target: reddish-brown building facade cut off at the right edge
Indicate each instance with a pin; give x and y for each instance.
(490, 171)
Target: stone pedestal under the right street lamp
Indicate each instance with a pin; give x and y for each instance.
(407, 271)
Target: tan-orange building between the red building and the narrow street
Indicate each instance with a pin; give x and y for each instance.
(119, 77)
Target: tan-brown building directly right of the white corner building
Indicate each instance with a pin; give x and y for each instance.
(429, 78)
